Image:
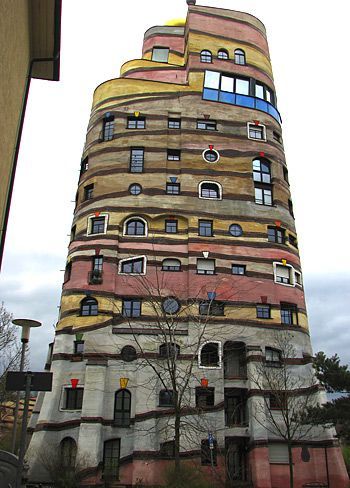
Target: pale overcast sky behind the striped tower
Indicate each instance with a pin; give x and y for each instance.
(308, 45)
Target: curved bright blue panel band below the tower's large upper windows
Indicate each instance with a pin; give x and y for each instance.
(241, 101)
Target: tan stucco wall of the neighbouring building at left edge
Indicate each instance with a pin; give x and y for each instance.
(14, 62)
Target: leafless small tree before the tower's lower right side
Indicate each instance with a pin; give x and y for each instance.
(287, 395)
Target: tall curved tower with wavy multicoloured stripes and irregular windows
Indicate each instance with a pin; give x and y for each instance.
(184, 222)
